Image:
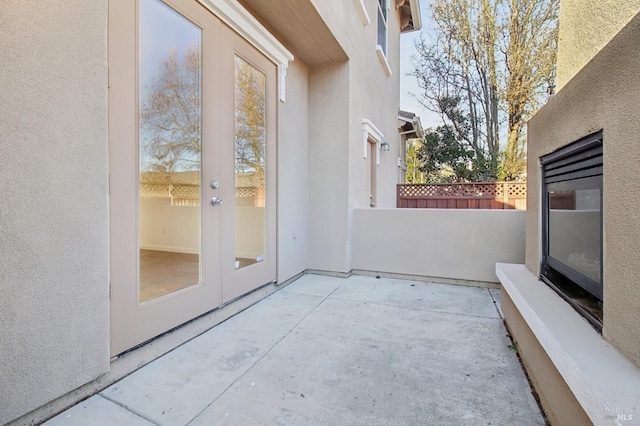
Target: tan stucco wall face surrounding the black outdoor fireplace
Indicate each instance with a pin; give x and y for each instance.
(604, 95)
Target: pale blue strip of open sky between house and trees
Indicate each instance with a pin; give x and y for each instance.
(408, 86)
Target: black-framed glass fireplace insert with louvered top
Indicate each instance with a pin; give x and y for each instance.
(572, 225)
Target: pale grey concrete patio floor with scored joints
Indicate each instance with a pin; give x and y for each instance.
(333, 351)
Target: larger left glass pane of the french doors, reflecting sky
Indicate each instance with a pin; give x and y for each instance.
(170, 99)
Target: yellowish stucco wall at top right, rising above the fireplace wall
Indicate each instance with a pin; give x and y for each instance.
(585, 28)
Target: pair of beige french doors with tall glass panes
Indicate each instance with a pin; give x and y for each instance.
(192, 132)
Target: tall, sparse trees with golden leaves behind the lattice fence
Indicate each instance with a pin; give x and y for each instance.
(484, 73)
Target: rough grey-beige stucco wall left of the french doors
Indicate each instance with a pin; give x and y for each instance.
(54, 323)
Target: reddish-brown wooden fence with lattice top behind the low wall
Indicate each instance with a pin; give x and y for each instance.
(481, 195)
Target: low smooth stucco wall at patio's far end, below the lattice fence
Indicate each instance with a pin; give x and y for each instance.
(452, 244)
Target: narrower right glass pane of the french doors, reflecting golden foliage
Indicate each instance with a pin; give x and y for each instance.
(250, 151)
